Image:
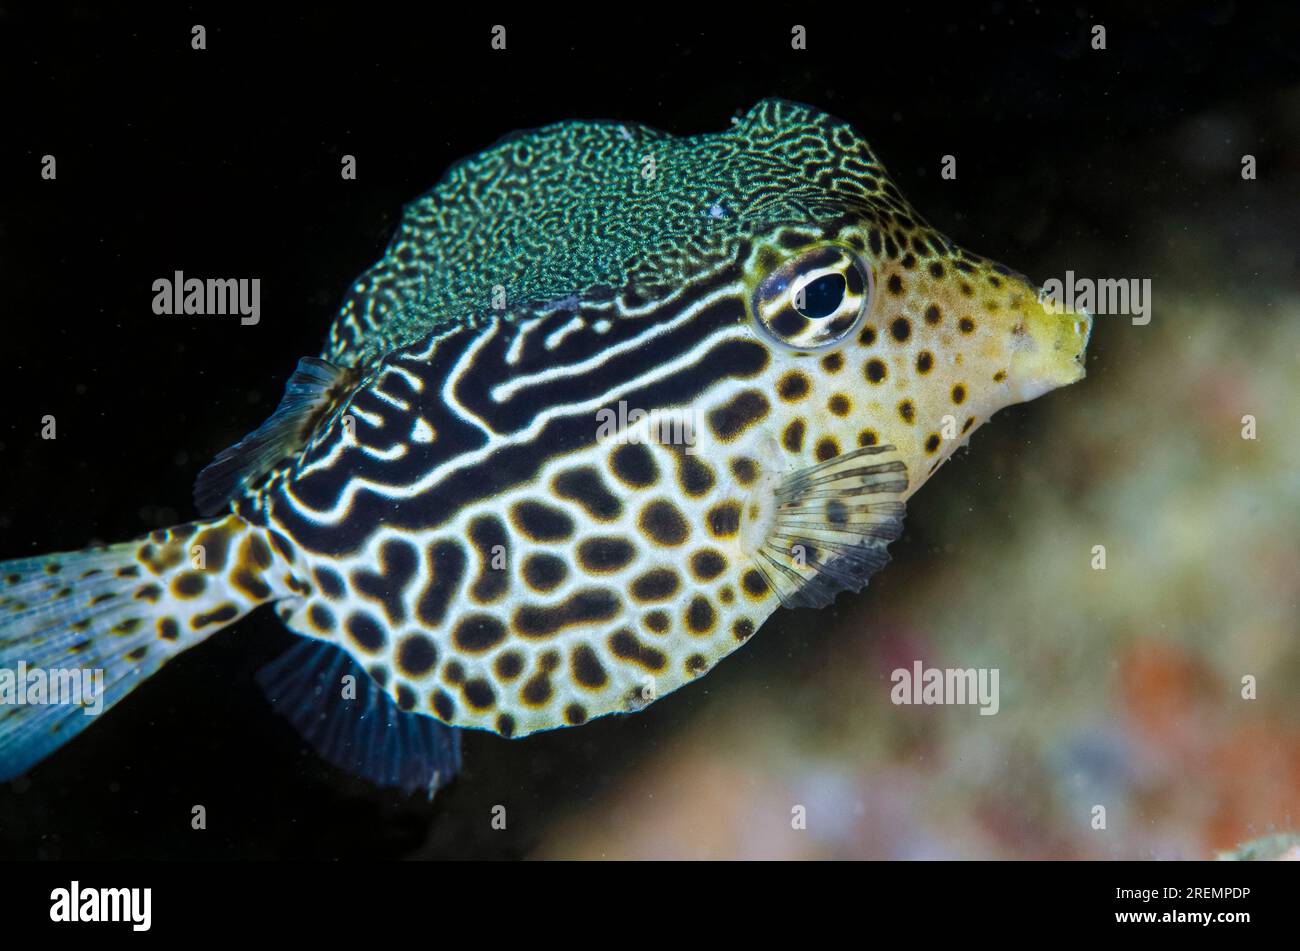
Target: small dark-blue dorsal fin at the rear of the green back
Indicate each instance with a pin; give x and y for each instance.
(314, 389)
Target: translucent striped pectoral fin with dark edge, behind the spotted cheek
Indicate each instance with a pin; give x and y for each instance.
(833, 527)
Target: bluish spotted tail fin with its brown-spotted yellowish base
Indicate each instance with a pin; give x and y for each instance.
(80, 631)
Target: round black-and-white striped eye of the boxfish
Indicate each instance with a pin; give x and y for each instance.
(814, 299)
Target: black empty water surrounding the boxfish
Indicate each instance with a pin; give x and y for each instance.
(227, 163)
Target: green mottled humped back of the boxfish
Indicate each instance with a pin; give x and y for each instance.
(556, 211)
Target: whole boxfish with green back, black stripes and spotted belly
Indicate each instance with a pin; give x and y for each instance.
(609, 401)
